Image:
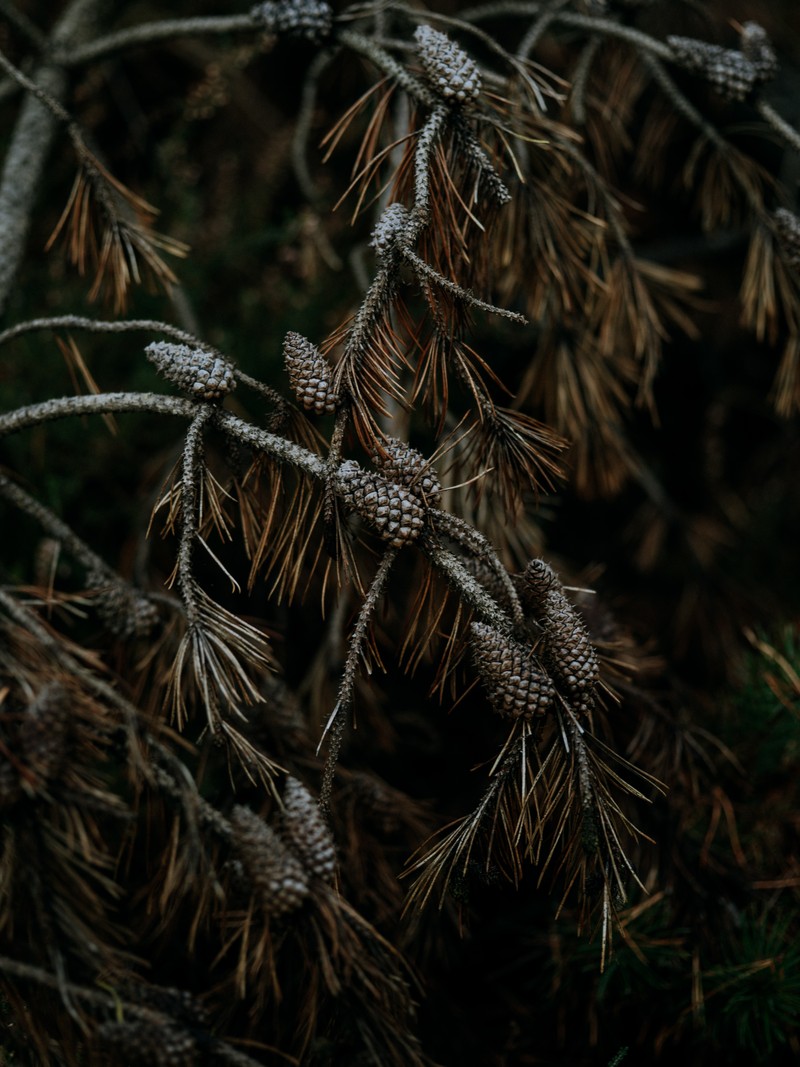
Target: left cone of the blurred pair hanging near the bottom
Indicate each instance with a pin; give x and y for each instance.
(273, 870)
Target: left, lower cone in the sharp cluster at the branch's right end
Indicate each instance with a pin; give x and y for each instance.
(516, 688)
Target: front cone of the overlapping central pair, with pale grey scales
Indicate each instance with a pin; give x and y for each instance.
(395, 512)
